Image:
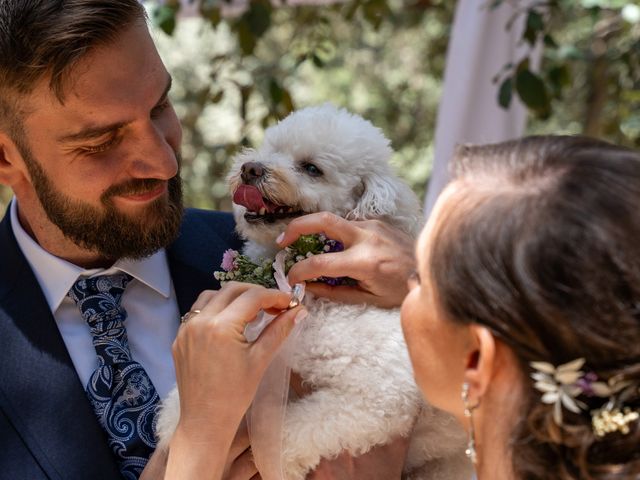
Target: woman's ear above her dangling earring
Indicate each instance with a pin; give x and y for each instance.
(481, 362)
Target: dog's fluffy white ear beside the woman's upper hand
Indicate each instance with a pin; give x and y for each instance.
(384, 196)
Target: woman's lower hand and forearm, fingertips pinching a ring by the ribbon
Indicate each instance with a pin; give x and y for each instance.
(218, 373)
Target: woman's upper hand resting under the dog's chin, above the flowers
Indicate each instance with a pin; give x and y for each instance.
(378, 256)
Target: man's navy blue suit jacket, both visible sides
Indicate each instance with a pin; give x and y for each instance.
(47, 427)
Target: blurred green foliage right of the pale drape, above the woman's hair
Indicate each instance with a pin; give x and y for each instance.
(589, 81)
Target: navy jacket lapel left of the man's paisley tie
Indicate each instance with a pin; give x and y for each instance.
(39, 389)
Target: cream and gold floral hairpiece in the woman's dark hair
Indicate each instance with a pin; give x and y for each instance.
(560, 387)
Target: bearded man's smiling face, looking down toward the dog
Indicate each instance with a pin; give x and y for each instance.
(104, 165)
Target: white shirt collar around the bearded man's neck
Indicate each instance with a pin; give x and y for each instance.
(56, 275)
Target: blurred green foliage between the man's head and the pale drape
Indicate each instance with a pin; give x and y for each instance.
(381, 59)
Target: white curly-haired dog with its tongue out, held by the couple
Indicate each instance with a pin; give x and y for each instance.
(353, 357)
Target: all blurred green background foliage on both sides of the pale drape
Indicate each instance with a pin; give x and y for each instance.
(238, 69)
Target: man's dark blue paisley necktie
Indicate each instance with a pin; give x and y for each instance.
(120, 391)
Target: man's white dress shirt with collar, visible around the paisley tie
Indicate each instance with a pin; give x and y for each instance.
(150, 302)
